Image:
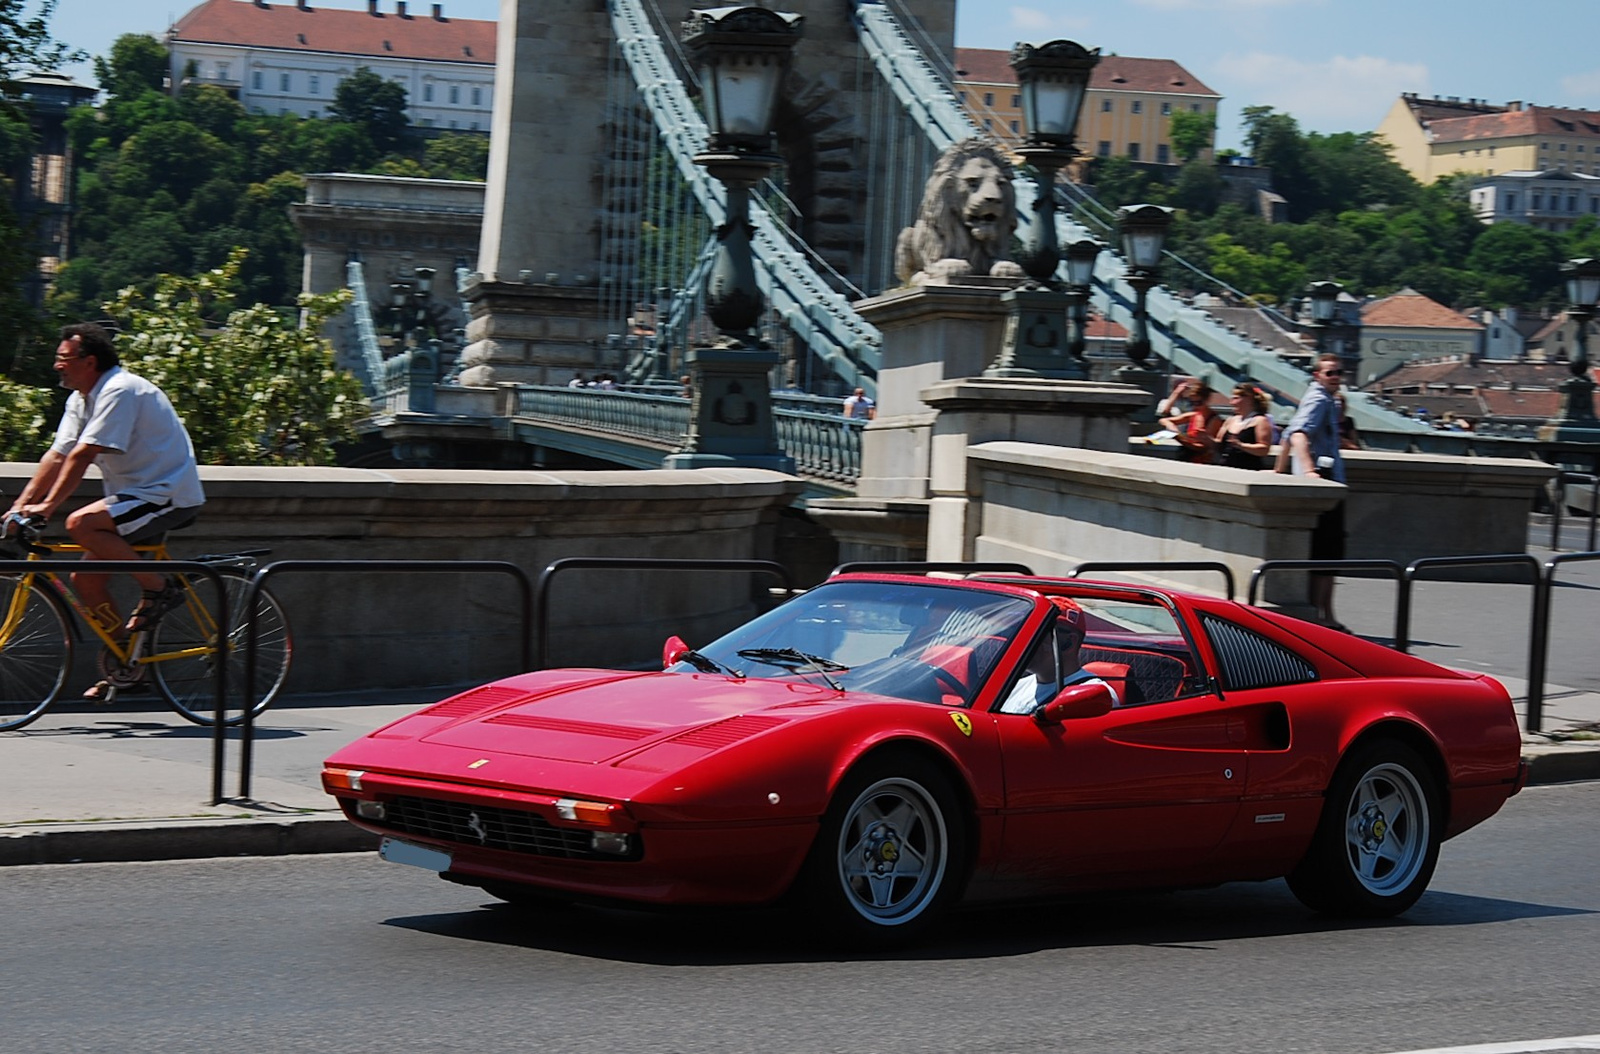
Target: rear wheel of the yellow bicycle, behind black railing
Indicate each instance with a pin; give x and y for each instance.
(188, 634)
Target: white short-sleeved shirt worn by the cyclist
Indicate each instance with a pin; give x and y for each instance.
(151, 457)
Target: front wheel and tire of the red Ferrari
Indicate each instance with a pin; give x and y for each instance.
(890, 856)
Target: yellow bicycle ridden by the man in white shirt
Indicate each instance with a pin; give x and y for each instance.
(178, 655)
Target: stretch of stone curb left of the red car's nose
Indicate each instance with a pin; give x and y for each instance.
(177, 840)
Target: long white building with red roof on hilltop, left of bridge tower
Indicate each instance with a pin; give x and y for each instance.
(290, 58)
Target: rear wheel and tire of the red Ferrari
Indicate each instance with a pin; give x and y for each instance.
(1377, 844)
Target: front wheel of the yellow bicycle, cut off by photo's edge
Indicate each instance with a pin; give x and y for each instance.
(36, 652)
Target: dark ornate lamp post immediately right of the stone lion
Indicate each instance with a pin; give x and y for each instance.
(1052, 79)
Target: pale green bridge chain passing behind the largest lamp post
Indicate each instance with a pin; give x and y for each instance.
(818, 317)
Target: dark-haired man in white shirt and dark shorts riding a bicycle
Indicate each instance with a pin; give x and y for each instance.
(129, 428)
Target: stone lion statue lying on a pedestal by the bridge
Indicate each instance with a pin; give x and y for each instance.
(967, 218)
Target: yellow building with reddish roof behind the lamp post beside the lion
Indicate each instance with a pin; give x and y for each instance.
(1127, 111)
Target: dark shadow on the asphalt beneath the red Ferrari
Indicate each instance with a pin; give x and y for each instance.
(1196, 920)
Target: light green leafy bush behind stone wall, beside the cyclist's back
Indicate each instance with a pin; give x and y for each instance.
(254, 385)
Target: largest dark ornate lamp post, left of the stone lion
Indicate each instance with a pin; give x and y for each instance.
(743, 55)
